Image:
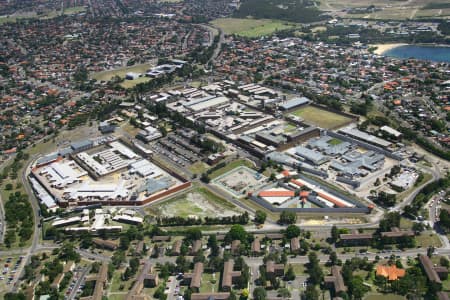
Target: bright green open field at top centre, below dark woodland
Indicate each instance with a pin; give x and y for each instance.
(250, 27)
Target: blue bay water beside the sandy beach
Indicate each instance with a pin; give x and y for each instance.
(433, 53)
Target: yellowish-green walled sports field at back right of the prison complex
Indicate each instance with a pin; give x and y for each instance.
(321, 118)
